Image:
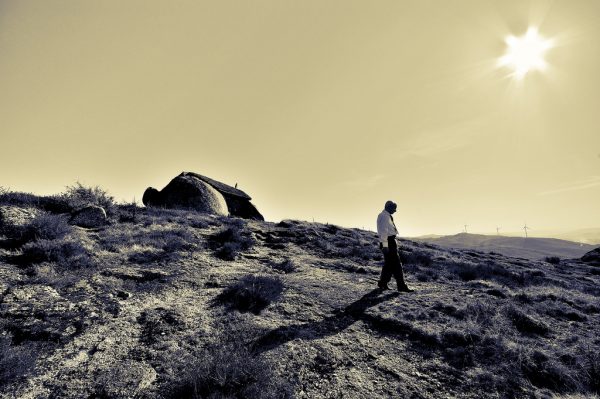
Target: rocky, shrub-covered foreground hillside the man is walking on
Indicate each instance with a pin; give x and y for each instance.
(175, 304)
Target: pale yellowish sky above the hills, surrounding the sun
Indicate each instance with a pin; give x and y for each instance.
(317, 109)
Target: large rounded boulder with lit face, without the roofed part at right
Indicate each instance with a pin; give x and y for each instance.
(187, 192)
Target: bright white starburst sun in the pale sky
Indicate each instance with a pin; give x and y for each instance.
(526, 53)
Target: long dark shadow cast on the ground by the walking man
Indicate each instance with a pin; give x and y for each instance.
(328, 326)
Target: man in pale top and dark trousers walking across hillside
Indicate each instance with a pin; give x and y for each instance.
(386, 229)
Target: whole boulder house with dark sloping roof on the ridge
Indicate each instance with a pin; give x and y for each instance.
(201, 193)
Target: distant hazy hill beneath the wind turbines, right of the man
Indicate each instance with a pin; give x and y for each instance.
(530, 248)
